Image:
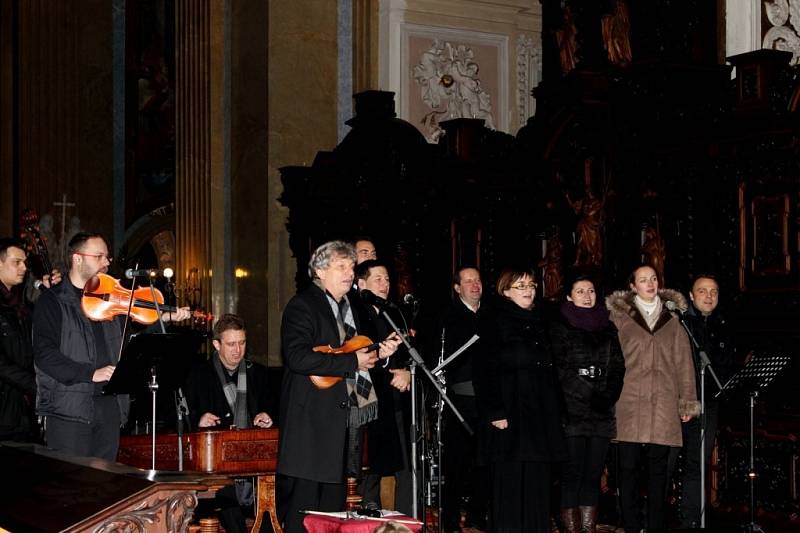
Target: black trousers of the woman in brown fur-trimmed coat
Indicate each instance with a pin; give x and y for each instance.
(631, 456)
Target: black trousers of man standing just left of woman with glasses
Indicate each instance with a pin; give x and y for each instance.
(463, 477)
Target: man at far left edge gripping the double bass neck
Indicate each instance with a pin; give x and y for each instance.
(17, 377)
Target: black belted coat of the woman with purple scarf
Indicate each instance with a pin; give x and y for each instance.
(589, 401)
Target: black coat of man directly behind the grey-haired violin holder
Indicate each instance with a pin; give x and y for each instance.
(384, 450)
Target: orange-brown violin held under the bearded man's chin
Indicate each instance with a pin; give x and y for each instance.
(104, 298)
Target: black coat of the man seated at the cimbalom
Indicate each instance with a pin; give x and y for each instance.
(204, 393)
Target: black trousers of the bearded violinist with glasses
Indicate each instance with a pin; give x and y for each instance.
(100, 438)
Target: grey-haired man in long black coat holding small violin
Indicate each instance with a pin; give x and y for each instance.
(315, 421)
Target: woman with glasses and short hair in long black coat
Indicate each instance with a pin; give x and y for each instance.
(517, 394)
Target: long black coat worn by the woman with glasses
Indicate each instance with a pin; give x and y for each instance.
(515, 380)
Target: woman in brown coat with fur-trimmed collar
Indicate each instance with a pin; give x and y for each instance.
(658, 394)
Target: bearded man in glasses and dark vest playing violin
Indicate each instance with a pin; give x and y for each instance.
(75, 357)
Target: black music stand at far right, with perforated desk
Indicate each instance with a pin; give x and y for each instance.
(756, 376)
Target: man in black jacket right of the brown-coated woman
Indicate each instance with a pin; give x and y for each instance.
(715, 338)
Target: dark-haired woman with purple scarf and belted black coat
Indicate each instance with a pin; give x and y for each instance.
(591, 370)
